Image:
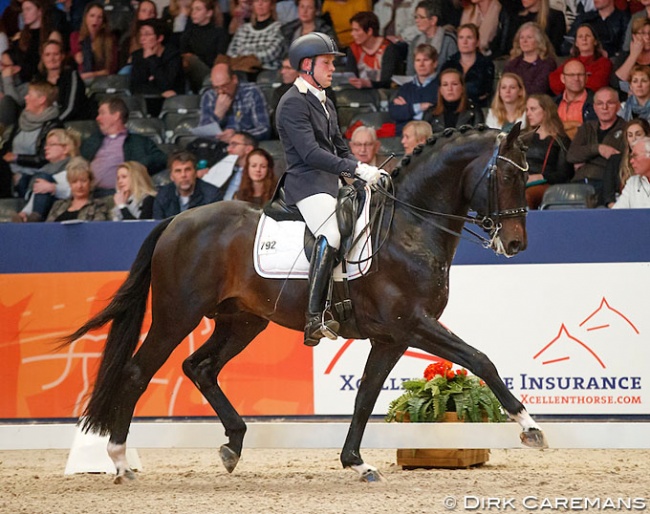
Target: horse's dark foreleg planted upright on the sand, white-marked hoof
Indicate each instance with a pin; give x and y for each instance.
(382, 359)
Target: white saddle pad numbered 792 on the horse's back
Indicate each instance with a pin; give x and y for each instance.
(279, 248)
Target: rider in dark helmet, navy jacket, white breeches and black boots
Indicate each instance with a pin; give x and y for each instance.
(317, 156)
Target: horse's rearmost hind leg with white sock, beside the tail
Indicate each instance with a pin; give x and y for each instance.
(161, 340)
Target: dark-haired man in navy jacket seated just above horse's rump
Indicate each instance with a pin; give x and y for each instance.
(186, 190)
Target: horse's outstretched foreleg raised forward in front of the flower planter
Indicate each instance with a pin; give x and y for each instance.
(437, 340)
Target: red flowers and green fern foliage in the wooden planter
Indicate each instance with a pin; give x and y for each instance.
(445, 390)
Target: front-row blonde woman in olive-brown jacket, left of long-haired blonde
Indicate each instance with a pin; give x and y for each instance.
(81, 205)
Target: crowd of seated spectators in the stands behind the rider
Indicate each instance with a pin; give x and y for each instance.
(137, 110)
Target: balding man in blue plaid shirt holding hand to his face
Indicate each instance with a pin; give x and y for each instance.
(234, 106)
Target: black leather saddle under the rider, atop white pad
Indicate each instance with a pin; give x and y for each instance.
(349, 206)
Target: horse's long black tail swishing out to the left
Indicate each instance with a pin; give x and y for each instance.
(126, 311)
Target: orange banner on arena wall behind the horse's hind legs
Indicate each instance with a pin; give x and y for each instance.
(272, 377)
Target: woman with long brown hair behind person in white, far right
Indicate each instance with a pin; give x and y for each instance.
(619, 169)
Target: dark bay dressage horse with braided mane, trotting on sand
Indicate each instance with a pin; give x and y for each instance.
(200, 264)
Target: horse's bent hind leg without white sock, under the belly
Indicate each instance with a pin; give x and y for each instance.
(231, 335)
